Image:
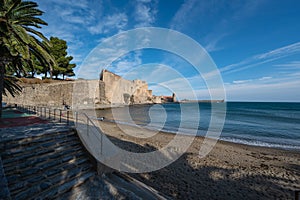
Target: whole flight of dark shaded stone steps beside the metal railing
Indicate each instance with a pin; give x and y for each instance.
(44, 165)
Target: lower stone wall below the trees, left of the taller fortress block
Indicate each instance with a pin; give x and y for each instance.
(57, 94)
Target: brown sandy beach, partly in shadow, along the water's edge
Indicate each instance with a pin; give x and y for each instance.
(229, 171)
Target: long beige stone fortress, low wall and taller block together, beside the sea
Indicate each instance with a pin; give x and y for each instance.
(110, 89)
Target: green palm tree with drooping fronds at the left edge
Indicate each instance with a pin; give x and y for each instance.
(19, 21)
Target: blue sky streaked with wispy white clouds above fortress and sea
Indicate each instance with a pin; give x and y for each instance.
(255, 45)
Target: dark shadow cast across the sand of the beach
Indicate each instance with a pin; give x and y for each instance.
(181, 180)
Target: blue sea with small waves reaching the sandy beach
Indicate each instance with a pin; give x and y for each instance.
(263, 124)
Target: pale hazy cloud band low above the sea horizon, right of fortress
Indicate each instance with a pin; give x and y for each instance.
(261, 89)
